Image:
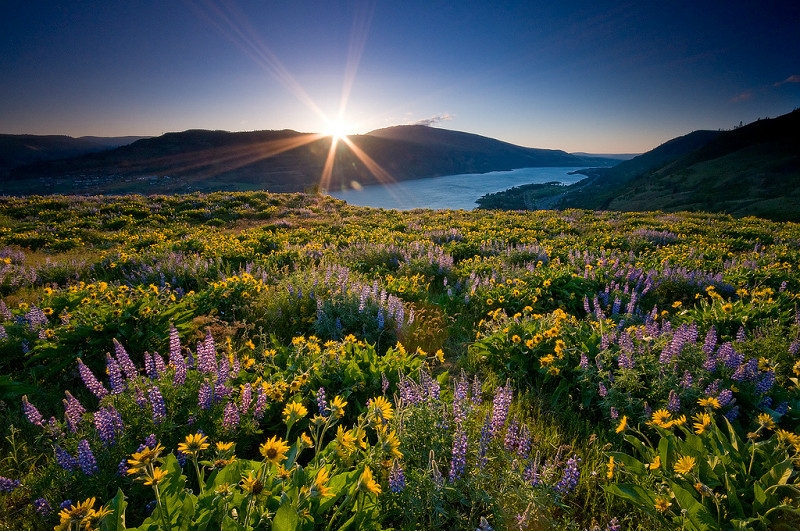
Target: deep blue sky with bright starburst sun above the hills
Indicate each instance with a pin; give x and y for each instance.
(602, 77)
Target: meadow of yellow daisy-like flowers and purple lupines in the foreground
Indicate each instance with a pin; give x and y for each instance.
(240, 361)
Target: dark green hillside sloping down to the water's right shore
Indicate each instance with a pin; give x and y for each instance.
(753, 170)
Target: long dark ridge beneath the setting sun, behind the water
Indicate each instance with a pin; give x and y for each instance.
(279, 161)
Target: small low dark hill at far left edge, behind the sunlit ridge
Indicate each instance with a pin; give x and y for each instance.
(19, 150)
